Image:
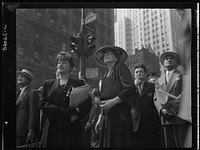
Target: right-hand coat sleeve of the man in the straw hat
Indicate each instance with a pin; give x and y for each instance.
(34, 115)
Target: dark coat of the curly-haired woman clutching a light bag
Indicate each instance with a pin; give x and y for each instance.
(59, 130)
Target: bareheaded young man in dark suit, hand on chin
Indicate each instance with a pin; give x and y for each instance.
(146, 123)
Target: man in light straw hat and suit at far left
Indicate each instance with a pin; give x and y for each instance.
(27, 109)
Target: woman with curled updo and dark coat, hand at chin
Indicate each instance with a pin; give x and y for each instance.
(60, 130)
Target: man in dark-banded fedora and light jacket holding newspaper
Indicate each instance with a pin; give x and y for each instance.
(171, 82)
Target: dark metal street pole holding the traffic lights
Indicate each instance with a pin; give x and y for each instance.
(83, 33)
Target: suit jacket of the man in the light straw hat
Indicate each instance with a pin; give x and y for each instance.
(27, 112)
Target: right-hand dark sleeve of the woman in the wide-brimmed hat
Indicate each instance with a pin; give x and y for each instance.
(128, 87)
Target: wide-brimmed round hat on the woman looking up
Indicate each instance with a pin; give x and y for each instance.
(121, 53)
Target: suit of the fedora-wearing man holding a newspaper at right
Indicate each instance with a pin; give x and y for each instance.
(174, 127)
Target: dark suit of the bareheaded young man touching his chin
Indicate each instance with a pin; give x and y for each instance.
(148, 133)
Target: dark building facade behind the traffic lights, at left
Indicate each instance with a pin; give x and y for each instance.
(42, 33)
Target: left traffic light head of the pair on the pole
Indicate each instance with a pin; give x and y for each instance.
(76, 45)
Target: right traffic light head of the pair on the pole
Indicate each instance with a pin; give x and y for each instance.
(89, 45)
